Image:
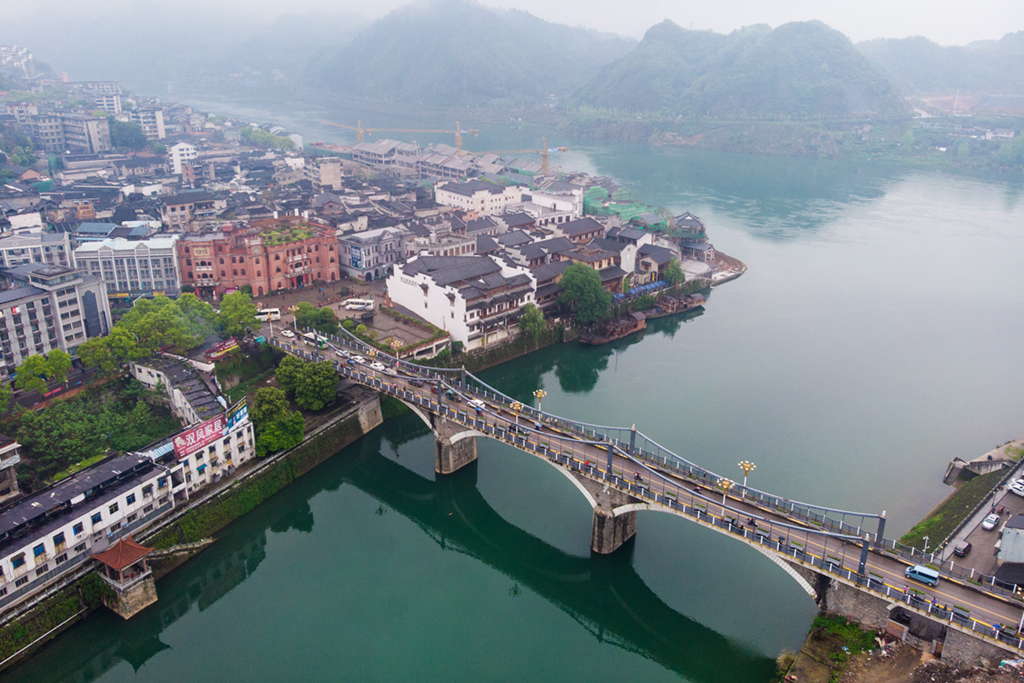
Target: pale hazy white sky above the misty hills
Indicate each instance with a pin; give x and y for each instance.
(946, 22)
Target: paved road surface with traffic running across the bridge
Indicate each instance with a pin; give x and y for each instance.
(984, 608)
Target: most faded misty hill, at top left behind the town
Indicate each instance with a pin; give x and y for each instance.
(148, 45)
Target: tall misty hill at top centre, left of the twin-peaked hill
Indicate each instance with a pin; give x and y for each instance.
(455, 53)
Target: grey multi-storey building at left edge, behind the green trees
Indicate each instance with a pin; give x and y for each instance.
(49, 308)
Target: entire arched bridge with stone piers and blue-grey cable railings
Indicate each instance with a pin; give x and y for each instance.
(839, 558)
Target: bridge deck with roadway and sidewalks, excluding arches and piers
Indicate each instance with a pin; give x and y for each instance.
(826, 545)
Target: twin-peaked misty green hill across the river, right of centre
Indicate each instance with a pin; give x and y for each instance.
(797, 71)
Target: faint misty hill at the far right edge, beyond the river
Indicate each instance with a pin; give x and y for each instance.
(919, 66)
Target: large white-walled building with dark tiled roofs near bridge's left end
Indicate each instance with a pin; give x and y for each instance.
(478, 300)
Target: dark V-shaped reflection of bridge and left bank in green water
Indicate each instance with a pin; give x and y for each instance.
(604, 594)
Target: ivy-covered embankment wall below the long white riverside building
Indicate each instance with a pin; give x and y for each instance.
(193, 524)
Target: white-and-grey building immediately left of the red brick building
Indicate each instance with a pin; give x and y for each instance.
(132, 269)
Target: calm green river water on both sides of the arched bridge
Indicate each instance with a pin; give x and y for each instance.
(877, 335)
